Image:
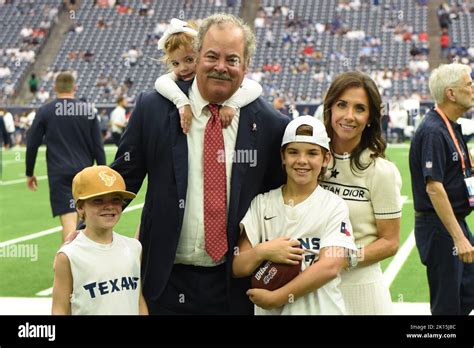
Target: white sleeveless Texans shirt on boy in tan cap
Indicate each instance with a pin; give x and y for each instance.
(106, 277)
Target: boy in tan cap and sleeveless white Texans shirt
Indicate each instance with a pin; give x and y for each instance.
(99, 271)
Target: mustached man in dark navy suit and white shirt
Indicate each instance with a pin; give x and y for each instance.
(180, 274)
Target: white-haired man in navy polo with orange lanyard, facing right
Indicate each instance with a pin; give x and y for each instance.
(441, 169)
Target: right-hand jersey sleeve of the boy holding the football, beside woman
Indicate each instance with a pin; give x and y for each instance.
(338, 232)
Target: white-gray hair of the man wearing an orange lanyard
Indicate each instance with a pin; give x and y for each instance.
(445, 76)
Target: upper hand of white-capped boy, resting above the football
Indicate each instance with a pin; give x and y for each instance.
(281, 250)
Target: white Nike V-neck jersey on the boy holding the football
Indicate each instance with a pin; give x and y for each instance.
(320, 221)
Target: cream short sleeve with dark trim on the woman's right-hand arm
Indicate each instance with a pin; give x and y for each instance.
(385, 189)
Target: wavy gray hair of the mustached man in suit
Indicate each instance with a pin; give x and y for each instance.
(224, 18)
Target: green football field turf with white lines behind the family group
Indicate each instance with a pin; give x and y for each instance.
(30, 237)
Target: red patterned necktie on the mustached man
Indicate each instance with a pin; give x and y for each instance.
(215, 187)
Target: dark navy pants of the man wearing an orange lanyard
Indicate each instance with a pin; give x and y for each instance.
(451, 281)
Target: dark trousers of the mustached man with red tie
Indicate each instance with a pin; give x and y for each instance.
(193, 290)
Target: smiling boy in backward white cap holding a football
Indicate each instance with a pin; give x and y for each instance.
(298, 221)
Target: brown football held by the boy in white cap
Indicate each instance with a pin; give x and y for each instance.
(271, 276)
